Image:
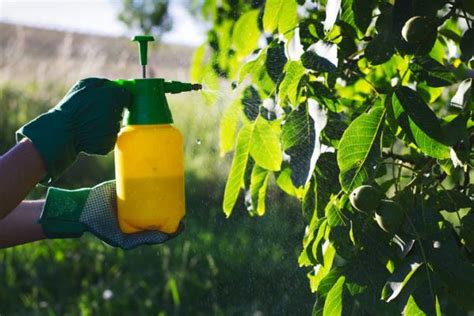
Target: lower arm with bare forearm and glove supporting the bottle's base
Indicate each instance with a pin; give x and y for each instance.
(69, 214)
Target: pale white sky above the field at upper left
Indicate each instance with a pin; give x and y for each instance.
(95, 16)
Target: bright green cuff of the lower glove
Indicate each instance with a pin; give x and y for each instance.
(61, 213)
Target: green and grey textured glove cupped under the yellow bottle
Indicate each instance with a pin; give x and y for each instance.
(70, 213)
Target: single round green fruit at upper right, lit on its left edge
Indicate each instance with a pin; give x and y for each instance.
(421, 33)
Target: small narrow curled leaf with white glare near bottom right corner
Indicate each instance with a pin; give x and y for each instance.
(399, 279)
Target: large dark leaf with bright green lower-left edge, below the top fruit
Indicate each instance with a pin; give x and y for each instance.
(417, 119)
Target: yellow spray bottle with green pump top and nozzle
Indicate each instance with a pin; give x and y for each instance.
(149, 160)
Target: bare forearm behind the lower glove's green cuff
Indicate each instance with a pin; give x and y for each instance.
(21, 226)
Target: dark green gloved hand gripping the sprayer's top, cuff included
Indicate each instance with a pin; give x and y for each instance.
(86, 120)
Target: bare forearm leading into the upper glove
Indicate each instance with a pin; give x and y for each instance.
(21, 168)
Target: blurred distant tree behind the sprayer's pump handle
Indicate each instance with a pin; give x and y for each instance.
(151, 17)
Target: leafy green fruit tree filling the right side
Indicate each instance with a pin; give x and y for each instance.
(337, 94)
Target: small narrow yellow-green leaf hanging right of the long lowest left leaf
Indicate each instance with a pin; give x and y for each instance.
(258, 189)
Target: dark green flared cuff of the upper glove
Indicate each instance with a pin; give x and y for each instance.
(51, 138)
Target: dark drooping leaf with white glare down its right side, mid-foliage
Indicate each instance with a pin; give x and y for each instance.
(300, 140)
